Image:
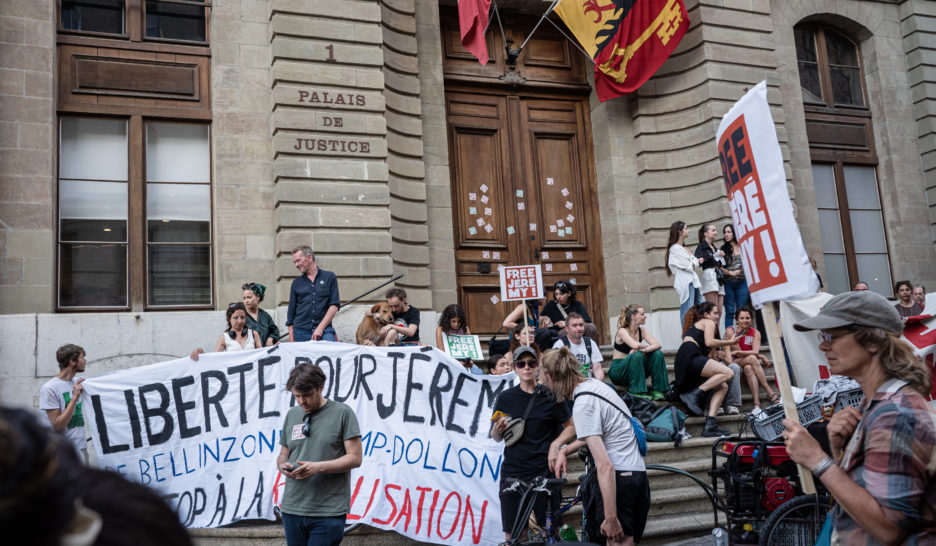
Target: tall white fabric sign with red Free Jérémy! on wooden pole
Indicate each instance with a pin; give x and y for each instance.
(774, 259)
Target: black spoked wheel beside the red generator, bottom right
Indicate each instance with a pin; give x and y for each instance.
(796, 522)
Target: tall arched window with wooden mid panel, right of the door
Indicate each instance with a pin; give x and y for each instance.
(841, 145)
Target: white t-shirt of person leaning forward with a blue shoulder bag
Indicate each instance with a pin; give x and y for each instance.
(595, 417)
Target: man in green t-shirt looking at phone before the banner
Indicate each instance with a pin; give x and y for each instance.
(317, 466)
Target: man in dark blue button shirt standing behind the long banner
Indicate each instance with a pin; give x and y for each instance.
(313, 300)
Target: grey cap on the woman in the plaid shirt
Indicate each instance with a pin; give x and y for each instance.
(862, 307)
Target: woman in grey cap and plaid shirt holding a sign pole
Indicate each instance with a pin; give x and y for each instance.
(882, 469)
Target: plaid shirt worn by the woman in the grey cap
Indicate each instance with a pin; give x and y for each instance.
(892, 455)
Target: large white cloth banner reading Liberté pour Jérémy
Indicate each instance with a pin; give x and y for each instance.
(206, 435)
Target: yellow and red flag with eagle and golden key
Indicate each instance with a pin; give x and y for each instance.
(627, 39)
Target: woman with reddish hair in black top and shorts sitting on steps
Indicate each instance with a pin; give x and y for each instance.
(700, 379)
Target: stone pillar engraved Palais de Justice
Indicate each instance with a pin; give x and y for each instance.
(330, 140)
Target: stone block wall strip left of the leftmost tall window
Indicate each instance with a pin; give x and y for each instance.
(27, 167)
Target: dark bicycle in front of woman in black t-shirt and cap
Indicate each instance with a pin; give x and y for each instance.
(529, 493)
